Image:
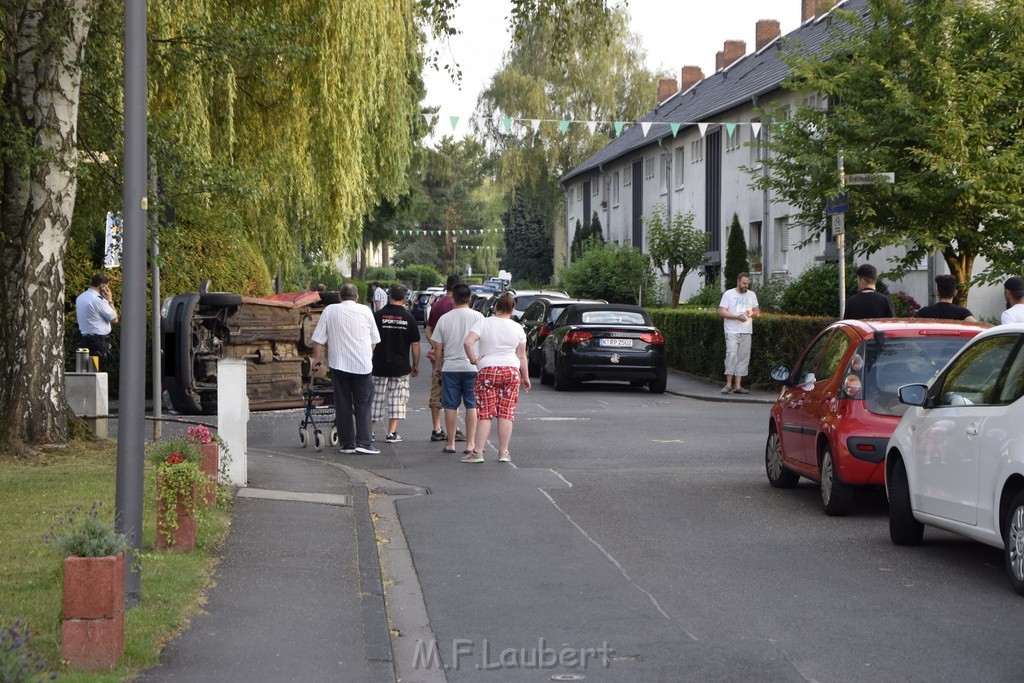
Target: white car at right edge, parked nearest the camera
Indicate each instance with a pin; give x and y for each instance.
(957, 458)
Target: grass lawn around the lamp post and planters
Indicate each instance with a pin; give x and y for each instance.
(36, 494)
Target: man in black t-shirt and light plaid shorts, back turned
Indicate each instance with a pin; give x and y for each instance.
(400, 339)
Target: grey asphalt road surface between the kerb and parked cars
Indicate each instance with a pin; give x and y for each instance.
(646, 525)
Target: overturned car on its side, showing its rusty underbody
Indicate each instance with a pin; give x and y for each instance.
(272, 334)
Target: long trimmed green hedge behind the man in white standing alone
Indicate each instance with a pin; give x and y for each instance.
(696, 343)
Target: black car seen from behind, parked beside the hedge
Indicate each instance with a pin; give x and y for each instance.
(604, 341)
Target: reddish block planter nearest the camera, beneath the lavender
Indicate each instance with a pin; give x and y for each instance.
(93, 634)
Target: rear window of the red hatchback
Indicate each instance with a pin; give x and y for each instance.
(900, 362)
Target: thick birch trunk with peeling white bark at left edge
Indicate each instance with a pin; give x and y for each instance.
(46, 46)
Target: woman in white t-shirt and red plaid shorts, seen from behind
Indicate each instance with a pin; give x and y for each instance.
(502, 367)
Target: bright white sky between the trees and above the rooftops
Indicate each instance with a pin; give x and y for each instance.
(674, 33)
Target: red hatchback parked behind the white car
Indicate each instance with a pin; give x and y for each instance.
(839, 405)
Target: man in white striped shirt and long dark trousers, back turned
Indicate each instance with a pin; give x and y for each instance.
(350, 331)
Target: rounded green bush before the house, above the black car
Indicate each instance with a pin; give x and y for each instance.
(619, 275)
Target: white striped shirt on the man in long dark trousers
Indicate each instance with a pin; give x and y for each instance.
(350, 331)
